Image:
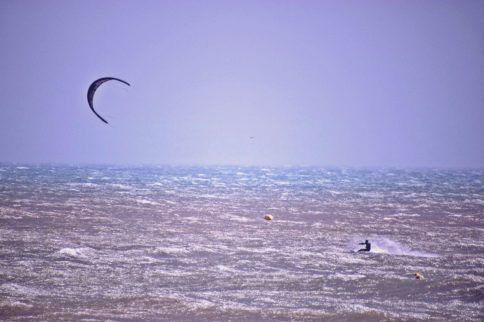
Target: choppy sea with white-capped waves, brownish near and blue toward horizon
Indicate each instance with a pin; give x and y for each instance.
(167, 243)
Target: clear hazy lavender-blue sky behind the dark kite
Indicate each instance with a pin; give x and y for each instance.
(267, 83)
